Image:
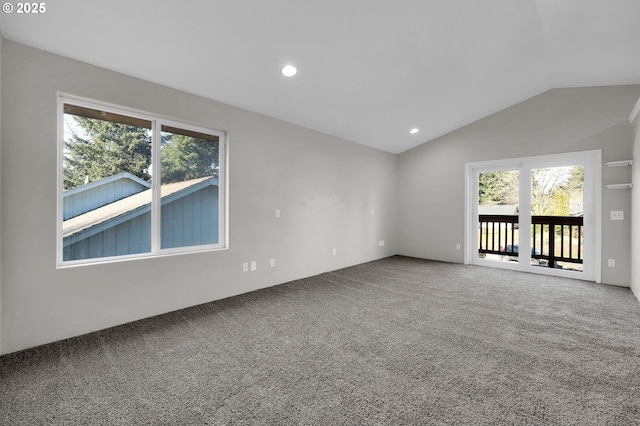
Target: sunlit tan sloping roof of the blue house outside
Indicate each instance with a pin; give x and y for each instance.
(129, 207)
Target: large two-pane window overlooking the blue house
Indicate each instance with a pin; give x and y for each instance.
(132, 185)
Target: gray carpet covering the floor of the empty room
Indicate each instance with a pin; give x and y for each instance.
(391, 342)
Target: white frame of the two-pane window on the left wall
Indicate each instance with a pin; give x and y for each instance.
(156, 206)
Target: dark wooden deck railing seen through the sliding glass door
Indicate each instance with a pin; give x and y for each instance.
(555, 238)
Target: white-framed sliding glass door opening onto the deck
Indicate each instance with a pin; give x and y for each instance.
(536, 214)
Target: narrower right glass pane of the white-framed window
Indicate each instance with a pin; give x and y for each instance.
(190, 192)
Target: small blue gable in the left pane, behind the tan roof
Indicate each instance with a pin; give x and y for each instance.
(100, 193)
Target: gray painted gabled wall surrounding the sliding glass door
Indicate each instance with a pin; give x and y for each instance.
(431, 176)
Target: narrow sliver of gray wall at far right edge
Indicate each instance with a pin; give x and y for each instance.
(635, 210)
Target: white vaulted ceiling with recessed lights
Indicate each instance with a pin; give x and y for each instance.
(368, 70)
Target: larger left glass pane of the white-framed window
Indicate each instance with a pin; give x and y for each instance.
(106, 184)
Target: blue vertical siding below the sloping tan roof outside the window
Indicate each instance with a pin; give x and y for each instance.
(188, 218)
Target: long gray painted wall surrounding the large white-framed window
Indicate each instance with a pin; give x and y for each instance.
(324, 187)
